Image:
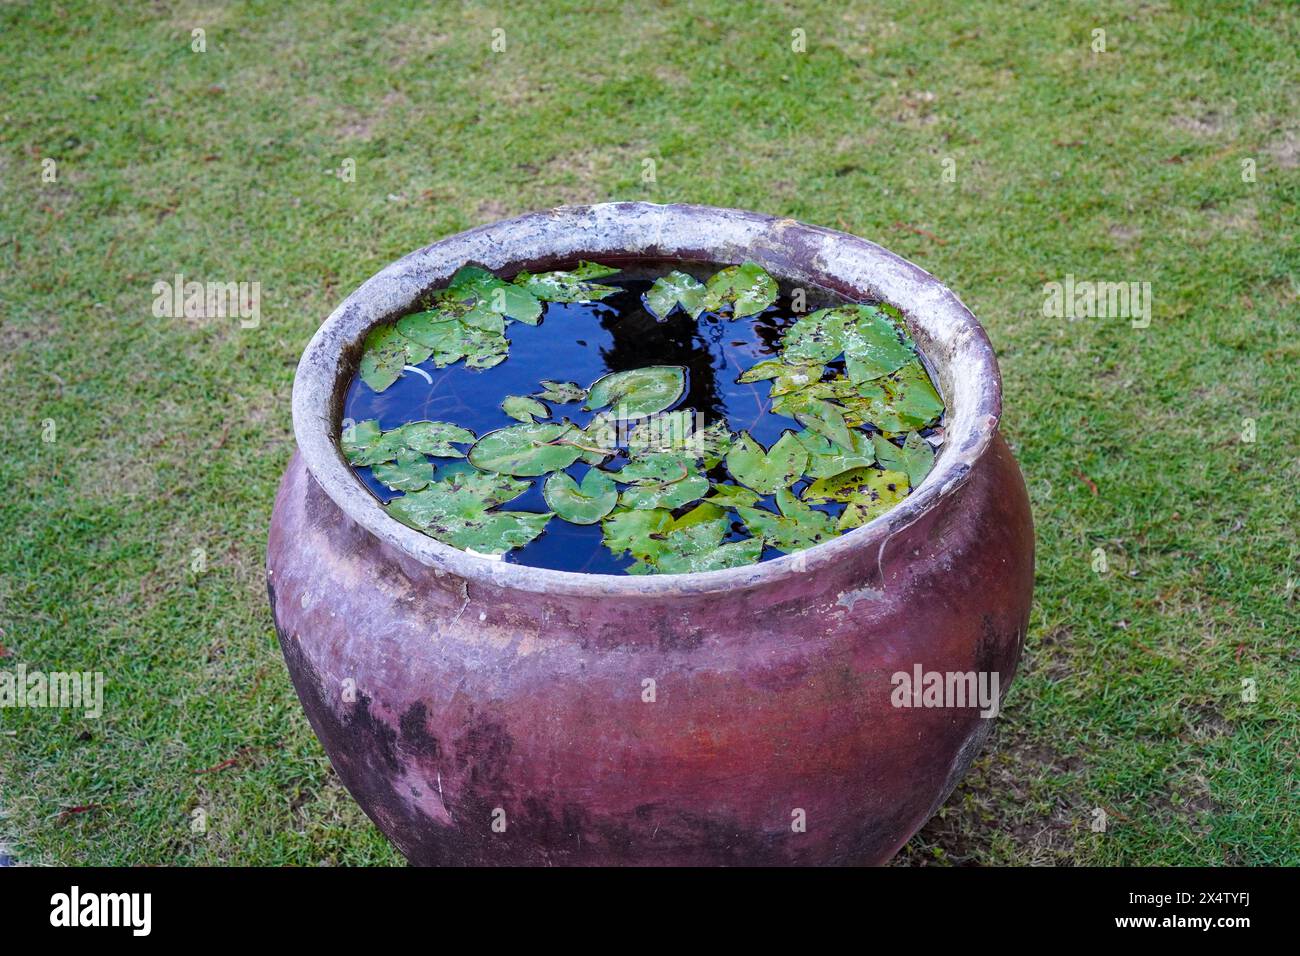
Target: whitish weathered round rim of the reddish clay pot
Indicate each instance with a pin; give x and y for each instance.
(951, 339)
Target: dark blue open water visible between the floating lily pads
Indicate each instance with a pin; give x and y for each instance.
(580, 343)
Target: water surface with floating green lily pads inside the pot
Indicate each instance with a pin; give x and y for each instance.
(691, 423)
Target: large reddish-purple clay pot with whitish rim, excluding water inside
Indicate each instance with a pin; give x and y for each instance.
(489, 713)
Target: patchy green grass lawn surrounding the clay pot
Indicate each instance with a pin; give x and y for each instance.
(172, 434)
